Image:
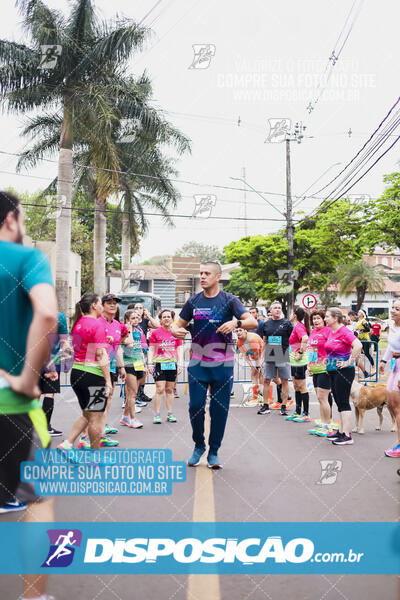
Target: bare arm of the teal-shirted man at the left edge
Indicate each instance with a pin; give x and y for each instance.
(43, 325)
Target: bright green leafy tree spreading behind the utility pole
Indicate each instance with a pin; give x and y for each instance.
(320, 244)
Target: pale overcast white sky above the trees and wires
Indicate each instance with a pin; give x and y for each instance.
(262, 61)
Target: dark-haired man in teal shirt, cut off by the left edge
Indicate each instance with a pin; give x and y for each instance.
(26, 282)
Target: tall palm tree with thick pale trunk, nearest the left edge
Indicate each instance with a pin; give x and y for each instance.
(86, 56)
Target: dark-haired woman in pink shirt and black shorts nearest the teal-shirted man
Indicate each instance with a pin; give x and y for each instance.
(90, 374)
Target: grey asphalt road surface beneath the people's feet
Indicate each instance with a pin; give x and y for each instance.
(271, 473)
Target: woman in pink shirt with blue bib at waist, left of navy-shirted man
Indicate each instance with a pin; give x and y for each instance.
(165, 362)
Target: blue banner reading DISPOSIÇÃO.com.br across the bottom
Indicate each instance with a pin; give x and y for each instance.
(241, 548)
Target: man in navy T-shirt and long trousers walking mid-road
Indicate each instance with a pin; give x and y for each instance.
(211, 359)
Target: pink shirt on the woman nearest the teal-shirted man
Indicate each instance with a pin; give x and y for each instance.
(88, 335)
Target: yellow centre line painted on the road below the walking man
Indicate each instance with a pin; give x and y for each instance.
(203, 587)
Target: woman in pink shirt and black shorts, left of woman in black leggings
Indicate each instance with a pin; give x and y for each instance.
(317, 368)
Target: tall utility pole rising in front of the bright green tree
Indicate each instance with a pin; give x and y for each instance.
(296, 136)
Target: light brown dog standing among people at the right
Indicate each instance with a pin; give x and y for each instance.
(366, 397)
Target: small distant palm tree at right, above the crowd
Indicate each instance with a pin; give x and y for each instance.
(361, 277)
